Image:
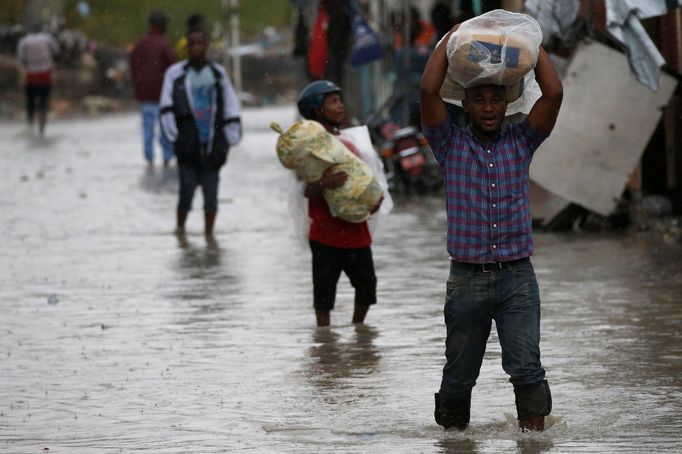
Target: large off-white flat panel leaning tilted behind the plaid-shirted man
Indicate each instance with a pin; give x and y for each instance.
(605, 123)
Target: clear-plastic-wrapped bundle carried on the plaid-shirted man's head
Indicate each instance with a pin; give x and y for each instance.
(498, 47)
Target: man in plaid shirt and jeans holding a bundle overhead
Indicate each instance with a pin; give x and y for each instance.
(486, 170)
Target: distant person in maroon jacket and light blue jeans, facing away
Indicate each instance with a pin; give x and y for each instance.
(150, 58)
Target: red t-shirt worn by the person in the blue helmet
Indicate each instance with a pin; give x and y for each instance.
(333, 231)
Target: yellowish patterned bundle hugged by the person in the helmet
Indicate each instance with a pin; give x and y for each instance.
(308, 149)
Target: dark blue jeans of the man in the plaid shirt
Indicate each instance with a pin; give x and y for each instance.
(474, 299)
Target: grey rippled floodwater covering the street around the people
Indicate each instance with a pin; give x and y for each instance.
(118, 336)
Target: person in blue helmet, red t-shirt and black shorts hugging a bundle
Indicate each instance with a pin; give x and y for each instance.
(336, 245)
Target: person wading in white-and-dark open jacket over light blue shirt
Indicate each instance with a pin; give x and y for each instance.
(200, 116)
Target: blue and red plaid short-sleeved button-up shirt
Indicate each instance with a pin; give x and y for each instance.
(487, 190)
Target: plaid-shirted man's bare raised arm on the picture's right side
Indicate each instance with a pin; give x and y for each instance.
(544, 113)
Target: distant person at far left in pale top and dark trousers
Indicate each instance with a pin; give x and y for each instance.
(36, 51)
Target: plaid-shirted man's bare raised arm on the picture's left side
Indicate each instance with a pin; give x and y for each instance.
(431, 106)
